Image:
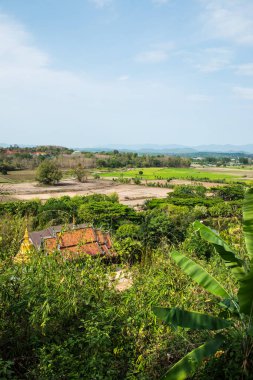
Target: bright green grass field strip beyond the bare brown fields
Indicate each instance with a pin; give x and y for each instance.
(175, 173)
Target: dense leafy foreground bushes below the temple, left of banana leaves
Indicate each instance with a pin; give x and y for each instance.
(65, 320)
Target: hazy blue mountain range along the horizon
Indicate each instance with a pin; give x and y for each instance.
(164, 149)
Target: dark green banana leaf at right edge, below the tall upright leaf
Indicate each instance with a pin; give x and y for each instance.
(245, 293)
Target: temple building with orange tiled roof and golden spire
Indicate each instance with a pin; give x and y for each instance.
(72, 242)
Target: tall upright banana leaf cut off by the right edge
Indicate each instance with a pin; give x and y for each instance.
(248, 221)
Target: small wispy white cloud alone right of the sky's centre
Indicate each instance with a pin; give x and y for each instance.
(156, 54)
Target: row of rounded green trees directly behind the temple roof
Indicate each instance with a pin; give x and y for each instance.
(100, 209)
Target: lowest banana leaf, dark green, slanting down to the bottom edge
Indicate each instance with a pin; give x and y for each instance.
(188, 365)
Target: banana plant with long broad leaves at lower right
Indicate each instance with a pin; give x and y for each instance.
(238, 306)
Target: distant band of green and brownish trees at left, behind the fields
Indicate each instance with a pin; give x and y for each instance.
(28, 158)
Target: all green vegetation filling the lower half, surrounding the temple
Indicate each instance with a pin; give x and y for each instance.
(63, 319)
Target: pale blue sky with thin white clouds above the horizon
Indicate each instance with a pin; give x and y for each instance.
(88, 73)
